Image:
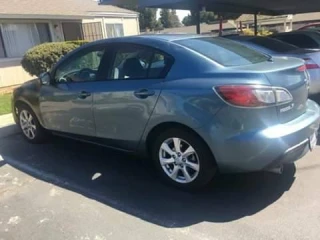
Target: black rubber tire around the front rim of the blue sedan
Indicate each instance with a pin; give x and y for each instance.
(40, 131)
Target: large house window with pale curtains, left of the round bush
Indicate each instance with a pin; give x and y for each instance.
(18, 38)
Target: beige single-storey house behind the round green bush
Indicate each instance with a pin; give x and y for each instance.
(26, 23)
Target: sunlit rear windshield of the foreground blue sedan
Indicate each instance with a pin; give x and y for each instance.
(223, 51)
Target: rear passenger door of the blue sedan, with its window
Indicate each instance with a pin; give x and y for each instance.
(124, 102)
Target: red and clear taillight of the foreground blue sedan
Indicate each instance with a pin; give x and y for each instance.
(253, 95)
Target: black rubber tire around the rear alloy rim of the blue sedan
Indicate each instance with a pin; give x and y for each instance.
(208, 167)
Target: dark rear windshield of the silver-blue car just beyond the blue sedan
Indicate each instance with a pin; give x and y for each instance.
(273, 44)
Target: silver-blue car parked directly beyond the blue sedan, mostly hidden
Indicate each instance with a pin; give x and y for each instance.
(275, 47)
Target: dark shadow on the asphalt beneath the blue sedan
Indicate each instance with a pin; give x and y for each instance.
(129, 185)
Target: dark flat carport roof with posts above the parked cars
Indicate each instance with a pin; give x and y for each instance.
(269, 7)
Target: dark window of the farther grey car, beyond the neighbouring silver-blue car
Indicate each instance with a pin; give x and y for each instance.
(299, 40)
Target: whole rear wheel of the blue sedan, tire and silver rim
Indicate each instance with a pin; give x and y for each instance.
(177, 164)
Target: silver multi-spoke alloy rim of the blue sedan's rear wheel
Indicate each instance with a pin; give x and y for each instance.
(179, 160)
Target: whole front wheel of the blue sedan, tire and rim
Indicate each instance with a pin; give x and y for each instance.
(30, 126)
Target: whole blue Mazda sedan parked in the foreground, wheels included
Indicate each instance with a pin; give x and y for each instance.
(212, 104)
